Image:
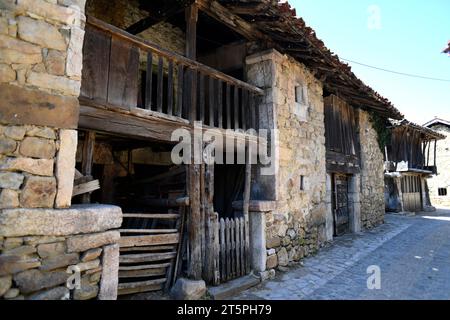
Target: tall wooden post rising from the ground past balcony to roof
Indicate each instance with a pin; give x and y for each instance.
(195, 228)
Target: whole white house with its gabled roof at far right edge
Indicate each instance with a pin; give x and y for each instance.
(440, 183)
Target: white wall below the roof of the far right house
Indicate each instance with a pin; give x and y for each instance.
(442, 179)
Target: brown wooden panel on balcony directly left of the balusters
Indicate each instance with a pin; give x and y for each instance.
(123, 74)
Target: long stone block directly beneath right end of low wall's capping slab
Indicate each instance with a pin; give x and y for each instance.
(90, 241)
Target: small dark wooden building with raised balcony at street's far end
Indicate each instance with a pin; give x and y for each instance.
(410, 163)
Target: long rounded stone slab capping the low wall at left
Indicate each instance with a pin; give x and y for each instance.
(50, 222)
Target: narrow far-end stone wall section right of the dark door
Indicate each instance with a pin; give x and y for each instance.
(372, 175)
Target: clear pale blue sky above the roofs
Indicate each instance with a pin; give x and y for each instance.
(409, 38)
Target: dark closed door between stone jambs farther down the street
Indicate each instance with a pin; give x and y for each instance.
(341, 207)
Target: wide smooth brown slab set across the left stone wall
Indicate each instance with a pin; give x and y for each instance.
(22, 106)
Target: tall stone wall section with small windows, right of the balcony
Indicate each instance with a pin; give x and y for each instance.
(296, 228)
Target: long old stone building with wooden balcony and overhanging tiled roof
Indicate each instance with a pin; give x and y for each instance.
(93, 92)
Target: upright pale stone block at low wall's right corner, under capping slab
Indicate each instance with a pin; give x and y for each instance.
(110, 273)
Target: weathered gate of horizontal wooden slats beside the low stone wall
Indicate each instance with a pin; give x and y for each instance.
(149, 257)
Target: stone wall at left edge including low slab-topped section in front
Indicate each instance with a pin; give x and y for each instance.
(40, 234)
